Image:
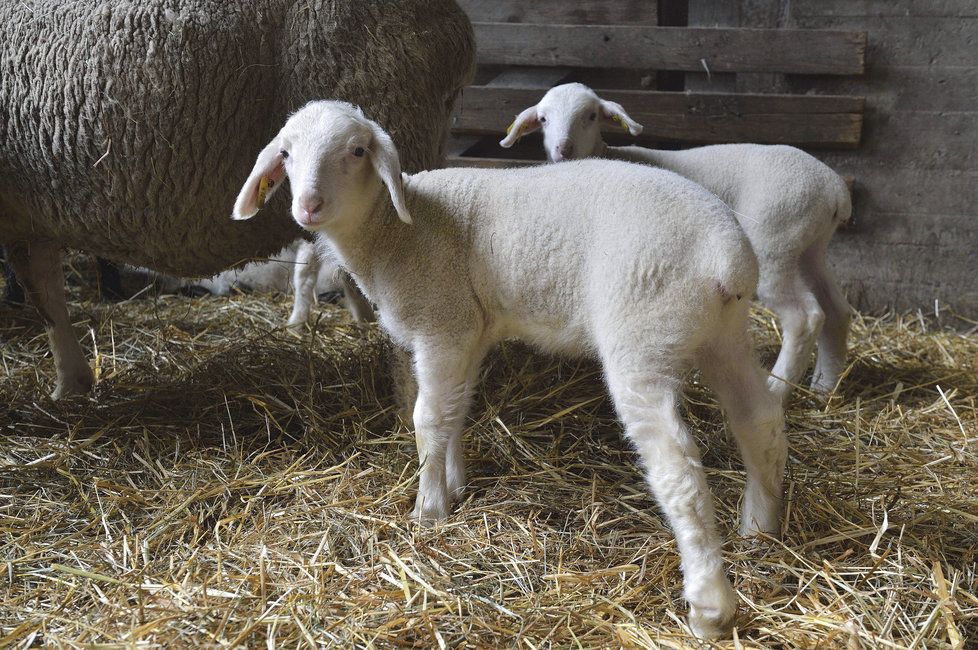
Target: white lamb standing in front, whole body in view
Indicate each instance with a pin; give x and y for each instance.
(640, 269)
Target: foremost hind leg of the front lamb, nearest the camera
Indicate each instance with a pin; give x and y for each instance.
(647, 404)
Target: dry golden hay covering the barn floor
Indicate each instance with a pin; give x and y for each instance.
(236, 485)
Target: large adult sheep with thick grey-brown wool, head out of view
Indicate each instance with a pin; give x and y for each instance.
(126, 126)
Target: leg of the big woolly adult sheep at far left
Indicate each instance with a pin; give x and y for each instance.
(38, 267)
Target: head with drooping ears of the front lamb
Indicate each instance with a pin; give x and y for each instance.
(337, 161)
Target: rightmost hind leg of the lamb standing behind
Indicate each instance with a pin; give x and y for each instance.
(832, 341)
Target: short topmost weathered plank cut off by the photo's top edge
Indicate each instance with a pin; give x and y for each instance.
(578, 12)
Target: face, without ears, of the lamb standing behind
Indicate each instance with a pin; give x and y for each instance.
(570, 117)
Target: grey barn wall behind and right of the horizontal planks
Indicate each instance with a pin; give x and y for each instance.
(915, 235)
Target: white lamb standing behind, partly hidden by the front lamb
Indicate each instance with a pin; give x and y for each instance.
(788, 202)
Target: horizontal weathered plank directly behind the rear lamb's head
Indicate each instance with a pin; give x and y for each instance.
(681, 117)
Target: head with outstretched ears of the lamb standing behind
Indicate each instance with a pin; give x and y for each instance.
(571, 116)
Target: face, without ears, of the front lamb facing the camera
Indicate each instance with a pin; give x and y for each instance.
(327, 157)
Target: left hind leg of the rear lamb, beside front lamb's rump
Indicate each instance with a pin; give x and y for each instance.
(801, 320)
